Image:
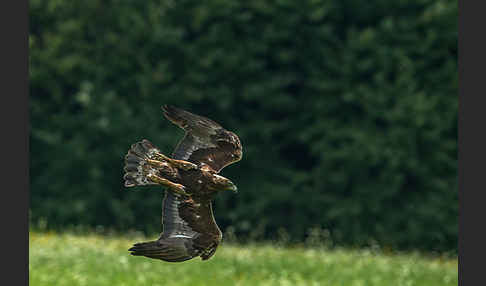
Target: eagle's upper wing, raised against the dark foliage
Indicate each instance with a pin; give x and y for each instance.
(205, 141)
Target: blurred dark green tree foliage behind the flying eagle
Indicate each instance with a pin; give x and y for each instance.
(347, 111)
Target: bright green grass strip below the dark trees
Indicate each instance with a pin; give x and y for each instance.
(67, 259)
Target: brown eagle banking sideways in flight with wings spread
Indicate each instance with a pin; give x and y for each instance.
(191, 180)
